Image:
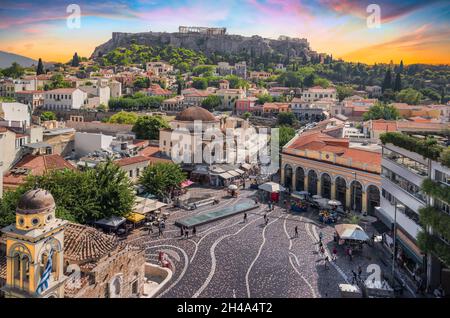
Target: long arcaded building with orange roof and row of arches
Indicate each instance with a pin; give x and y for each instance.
(328, 166)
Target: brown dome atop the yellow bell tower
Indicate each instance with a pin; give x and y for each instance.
(35, 201)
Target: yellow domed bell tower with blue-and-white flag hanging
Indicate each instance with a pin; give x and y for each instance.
(35, 249)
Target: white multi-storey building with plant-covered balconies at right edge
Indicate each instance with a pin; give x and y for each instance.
(407, 203)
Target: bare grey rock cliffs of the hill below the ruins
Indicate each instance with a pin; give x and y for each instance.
(253, 47)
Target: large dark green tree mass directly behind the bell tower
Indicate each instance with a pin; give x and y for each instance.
(80, 196)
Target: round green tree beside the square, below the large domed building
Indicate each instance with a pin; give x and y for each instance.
(162, 179)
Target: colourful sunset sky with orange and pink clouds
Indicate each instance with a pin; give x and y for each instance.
(415, 31)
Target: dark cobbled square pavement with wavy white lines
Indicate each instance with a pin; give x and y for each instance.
(230, 258)
